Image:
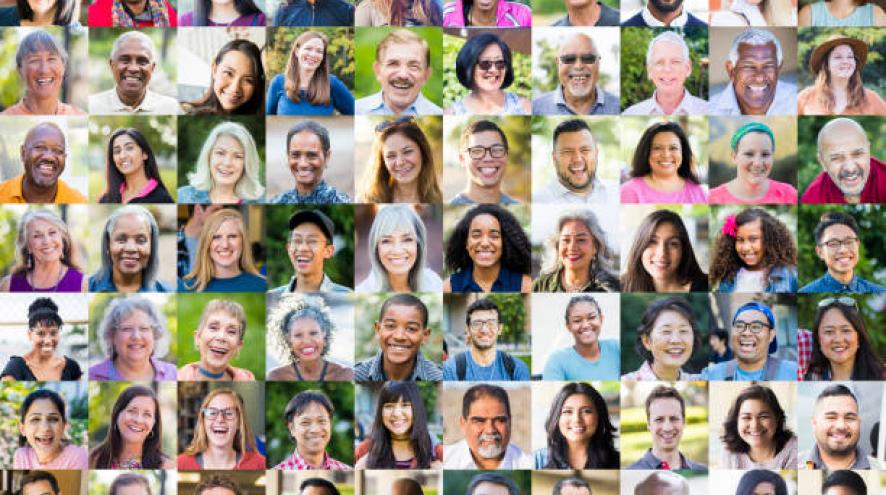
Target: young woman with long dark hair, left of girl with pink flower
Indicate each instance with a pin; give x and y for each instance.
(662, 259)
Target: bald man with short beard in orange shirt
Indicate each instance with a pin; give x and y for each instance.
(43, 155)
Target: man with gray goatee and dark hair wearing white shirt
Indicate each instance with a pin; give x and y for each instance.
(485, 424)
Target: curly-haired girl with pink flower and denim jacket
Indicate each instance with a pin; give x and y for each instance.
(754, 253)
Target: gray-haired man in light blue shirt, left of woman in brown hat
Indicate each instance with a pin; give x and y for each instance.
(755, 60)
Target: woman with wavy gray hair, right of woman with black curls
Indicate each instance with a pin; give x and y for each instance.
(577, 258)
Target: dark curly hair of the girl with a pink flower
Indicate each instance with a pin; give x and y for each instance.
(780, 249)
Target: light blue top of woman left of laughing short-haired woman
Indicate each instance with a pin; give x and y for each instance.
(567, 364)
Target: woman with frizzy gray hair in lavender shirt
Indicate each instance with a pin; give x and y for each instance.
(131, 334)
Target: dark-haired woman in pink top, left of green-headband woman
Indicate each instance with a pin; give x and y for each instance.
(663, 168)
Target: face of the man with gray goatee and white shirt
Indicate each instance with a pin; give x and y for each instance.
(487, 429)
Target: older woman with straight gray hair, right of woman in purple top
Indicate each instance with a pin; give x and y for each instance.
(129, 253)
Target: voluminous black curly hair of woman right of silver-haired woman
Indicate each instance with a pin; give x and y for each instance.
(516, 250)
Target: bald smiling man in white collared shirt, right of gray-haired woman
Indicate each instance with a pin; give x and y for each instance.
(133, 60)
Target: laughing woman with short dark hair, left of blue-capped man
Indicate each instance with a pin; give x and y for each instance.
(666, 338)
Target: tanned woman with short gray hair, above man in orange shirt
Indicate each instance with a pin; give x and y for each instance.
(42, 63)
